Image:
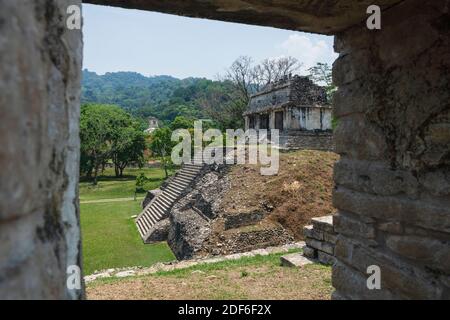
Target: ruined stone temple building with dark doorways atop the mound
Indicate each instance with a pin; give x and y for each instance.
(298, 108)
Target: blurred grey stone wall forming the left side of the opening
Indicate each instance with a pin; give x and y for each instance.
(40, 68)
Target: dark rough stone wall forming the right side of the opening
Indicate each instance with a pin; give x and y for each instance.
(393, 180)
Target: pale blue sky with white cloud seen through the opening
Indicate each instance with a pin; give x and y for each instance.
(152, 43)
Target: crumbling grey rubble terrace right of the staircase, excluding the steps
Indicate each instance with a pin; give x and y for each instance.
(199, 225)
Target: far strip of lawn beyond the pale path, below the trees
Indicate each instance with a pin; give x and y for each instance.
(110, 187)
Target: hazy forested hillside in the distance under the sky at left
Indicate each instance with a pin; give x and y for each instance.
(164, 97)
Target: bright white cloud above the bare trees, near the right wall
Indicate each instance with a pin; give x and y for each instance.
(307, 50)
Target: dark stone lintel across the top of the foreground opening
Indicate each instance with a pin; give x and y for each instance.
(322, 17)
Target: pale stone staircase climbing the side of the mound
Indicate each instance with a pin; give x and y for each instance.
(159, 208)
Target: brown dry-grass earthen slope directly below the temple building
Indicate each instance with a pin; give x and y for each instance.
(301, 189)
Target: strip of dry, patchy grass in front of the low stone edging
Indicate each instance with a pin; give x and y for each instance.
(259, 277)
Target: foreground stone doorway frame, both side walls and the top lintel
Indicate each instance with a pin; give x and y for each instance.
(392, 183)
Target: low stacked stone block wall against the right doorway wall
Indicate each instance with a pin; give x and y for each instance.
(320, 240)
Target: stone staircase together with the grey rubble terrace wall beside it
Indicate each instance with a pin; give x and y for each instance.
(189, 214)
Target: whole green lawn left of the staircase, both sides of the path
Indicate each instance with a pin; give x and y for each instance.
(110, 238)
